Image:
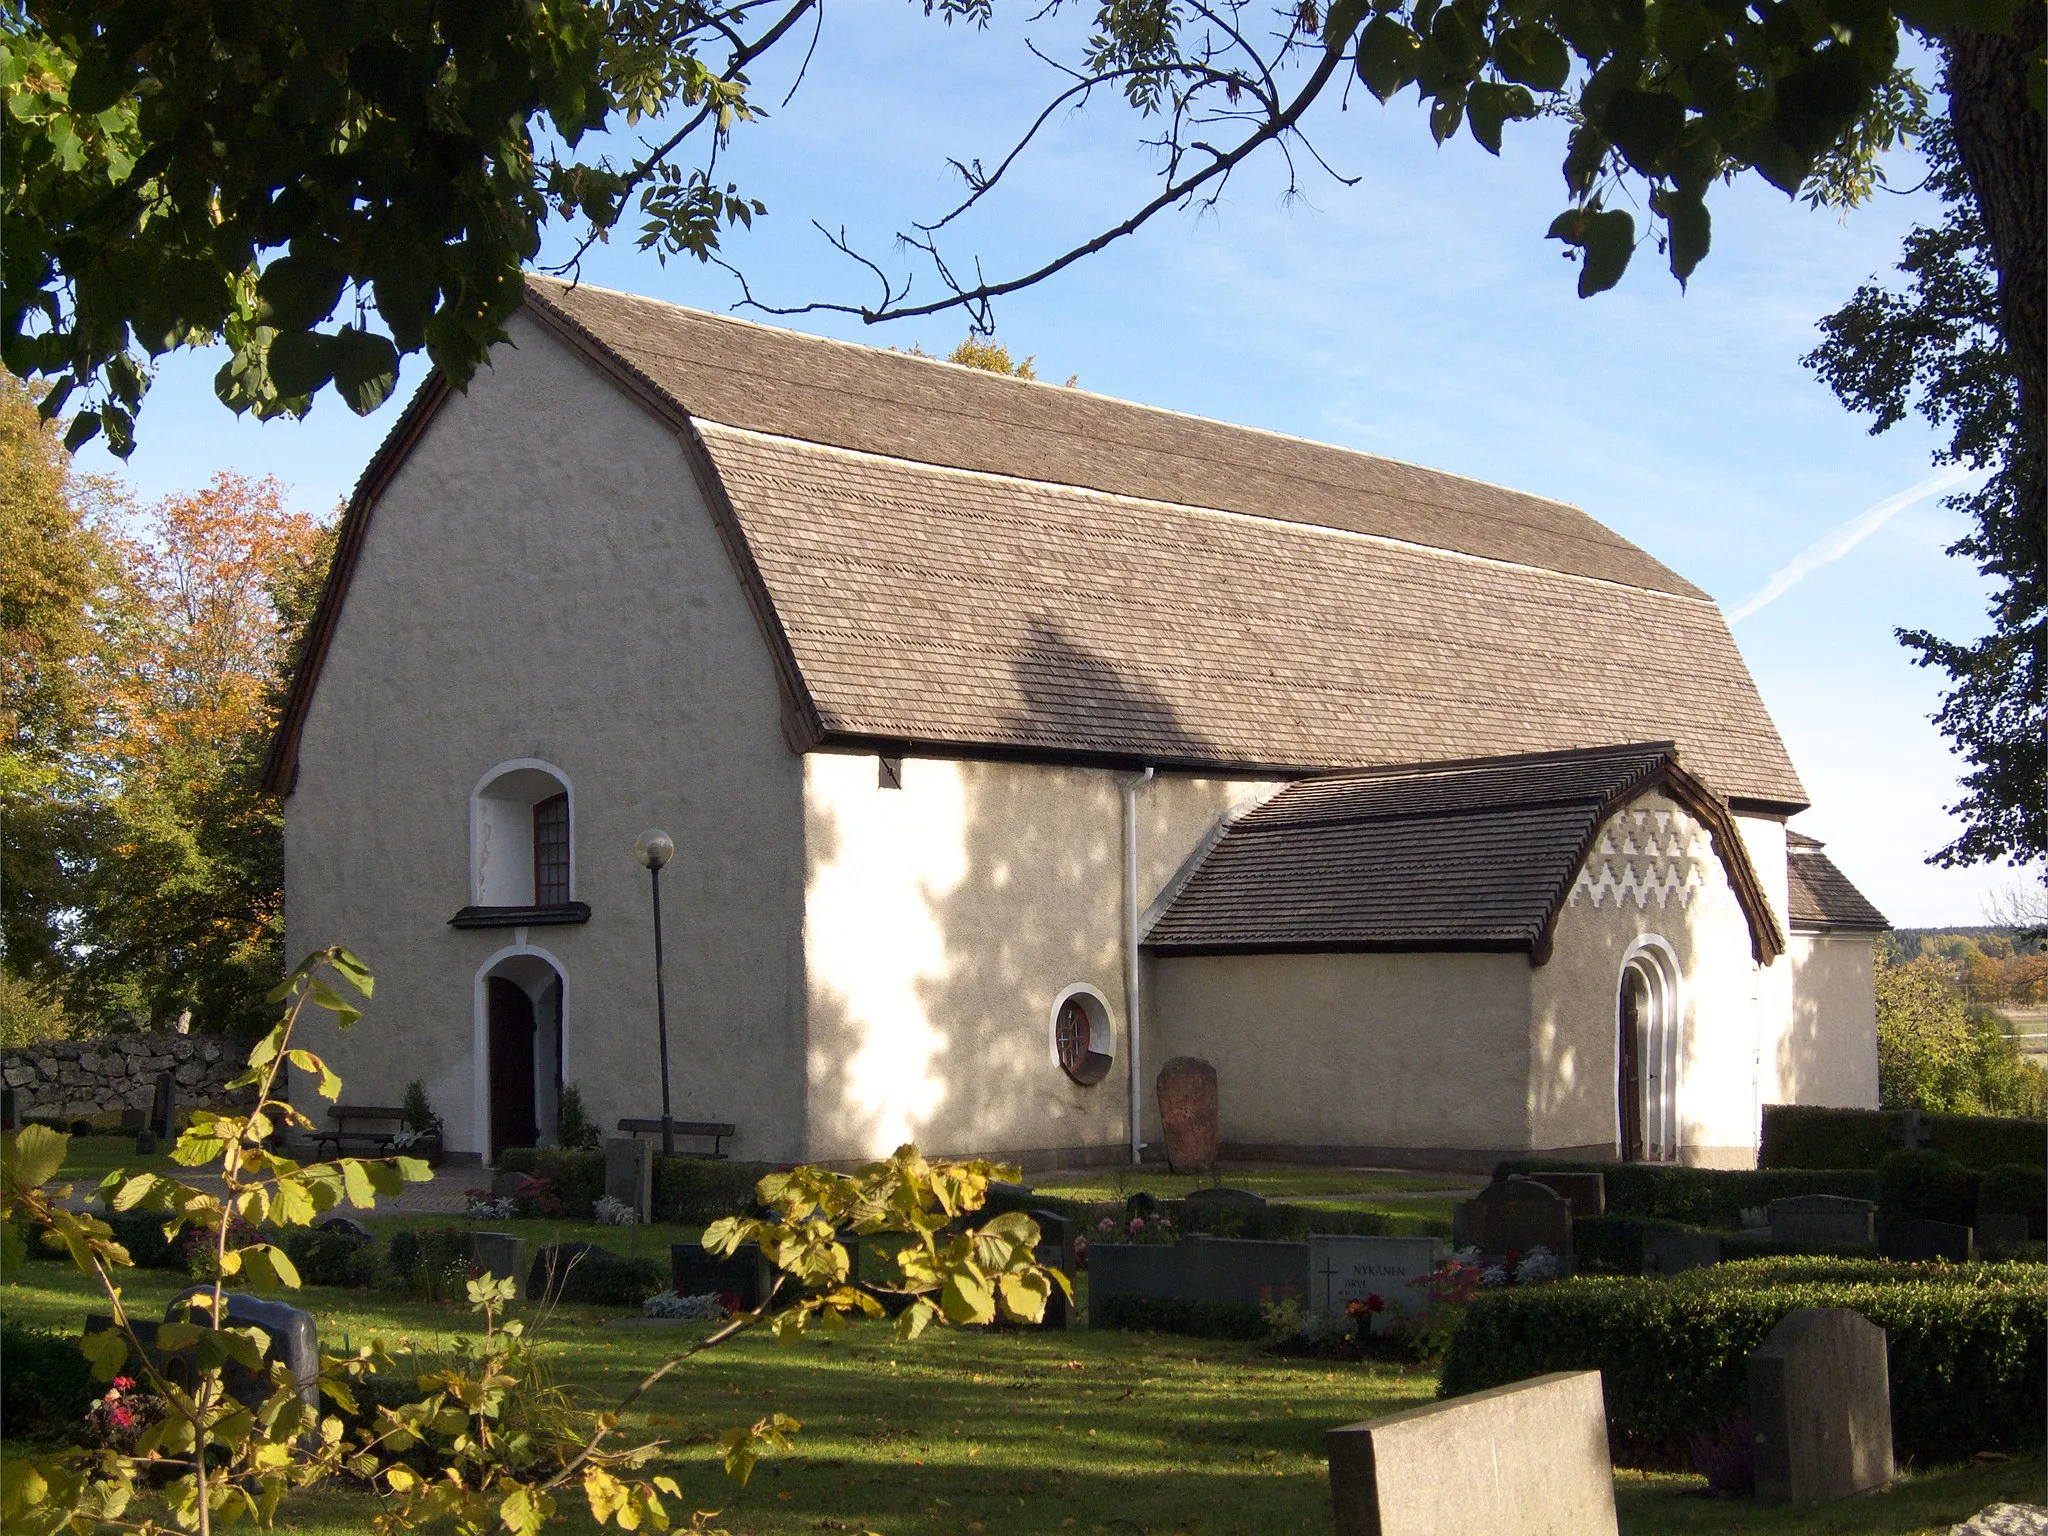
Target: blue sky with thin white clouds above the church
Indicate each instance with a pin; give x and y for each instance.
(1418, 314)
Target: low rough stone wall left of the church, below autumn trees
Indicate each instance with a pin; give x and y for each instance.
(83, 1078)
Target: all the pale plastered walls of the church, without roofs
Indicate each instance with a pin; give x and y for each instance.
(871, 951)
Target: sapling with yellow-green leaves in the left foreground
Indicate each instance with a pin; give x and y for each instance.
(503, 1441)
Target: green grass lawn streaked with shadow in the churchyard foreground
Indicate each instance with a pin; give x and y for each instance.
(1019, 1435)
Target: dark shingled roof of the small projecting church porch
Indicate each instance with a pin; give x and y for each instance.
(1435, 857)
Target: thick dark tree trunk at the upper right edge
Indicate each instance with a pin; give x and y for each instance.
(2002, 144)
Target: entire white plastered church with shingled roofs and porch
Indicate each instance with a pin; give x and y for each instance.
(1013, 742)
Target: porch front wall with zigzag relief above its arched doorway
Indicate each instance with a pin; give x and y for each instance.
(1652, 880)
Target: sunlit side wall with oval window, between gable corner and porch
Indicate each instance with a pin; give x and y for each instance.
(945, 919)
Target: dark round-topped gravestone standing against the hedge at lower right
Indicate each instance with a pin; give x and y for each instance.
(1822, 1408)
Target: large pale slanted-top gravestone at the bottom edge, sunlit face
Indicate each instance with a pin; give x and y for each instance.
(1527, 1459)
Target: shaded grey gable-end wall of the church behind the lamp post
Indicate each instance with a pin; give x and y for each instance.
(544, 581)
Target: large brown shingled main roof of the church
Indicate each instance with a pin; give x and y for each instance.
(951, 560)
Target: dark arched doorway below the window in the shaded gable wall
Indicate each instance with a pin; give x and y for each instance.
(521, 1043)
